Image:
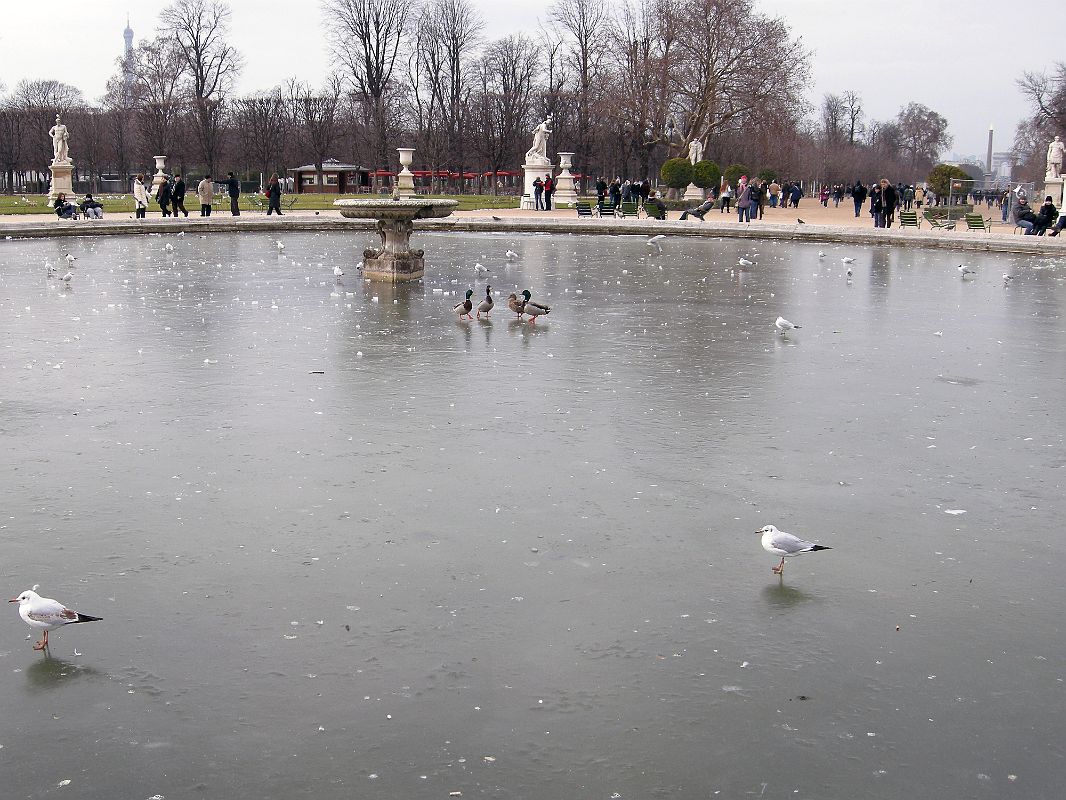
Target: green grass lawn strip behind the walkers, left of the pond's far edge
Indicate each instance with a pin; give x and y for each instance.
(37, 204)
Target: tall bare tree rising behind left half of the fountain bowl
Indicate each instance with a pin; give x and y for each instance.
(365, 37)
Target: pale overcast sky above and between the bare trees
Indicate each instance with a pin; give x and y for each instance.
(961, 59)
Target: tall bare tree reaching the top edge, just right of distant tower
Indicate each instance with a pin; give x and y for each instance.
(211, 65)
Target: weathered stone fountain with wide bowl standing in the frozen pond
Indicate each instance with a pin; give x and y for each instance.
(395, 262)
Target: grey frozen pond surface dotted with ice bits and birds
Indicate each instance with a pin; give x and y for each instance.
(347, 547)
